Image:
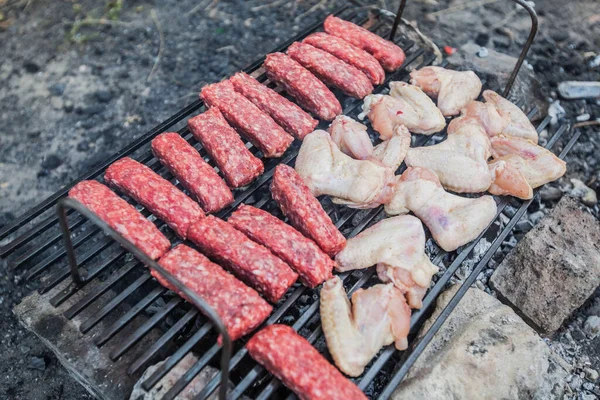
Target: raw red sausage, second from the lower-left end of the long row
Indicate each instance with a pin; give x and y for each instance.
(155, 193)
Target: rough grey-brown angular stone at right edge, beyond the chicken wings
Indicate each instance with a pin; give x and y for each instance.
(554, 269)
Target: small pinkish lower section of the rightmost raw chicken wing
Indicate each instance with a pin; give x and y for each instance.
(508, 179)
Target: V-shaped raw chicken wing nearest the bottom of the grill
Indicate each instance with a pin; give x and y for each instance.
(377, 317)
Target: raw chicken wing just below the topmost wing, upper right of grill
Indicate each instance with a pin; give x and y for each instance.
(498, 116)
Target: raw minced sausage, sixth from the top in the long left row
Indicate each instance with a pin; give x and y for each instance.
(248, 119)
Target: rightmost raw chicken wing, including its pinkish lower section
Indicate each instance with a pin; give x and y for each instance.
(522, 161)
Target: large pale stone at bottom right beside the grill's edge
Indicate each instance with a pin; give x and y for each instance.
(481, 339)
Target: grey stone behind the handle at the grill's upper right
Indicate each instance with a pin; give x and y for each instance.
(496, 69)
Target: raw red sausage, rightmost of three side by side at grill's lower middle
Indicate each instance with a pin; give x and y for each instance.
(302, 254)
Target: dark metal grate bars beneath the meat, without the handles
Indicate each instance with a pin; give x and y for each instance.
(34, 242)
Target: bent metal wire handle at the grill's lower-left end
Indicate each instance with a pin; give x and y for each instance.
(68, 203)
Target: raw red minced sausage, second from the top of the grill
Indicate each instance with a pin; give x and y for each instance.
(348, 53)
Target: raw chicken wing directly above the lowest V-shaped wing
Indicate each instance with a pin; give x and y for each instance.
(397, 246)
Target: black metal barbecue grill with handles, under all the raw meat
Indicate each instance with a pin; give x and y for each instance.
(76, 260)
